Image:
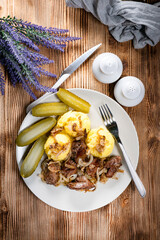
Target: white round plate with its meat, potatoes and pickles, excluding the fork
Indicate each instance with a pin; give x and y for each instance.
(63, 146)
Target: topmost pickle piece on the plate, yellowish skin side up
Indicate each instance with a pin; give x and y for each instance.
(73, 100)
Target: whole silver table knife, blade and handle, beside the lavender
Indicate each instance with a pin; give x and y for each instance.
(65, 74)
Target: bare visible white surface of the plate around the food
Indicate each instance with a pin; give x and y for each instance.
(70, 200)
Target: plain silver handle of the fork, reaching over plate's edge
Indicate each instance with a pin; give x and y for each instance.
(135, 177)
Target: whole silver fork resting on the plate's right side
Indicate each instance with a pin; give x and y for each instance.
(111, 125)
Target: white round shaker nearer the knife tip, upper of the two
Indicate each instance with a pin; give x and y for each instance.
(107, 67)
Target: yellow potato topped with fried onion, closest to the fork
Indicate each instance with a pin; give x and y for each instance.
(100, 142)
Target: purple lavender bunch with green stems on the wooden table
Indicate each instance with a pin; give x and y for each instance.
(19, 52)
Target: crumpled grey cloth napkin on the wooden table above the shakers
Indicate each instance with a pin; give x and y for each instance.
(126, 19)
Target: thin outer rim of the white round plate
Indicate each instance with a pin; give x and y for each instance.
(106, 96)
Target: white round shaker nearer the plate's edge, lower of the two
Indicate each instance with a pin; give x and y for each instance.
(129, 91)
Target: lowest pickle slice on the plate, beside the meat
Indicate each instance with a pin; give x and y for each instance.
(32, 159)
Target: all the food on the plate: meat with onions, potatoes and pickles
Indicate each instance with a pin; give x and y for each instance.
(77, 156)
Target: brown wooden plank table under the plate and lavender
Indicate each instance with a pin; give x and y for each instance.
(23, 216)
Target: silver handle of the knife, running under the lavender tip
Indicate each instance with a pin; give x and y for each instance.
(62, 78)
